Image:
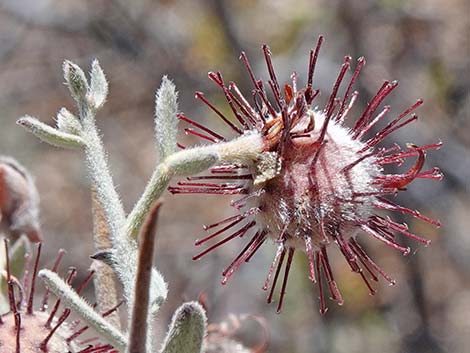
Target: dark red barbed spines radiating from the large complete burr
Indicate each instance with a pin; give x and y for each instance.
(237, 179)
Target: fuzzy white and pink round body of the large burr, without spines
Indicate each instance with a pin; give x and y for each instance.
(318, 182)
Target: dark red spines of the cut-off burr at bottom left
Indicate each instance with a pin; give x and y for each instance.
(53, 323)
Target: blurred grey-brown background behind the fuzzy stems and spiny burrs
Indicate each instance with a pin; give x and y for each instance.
(424, 44)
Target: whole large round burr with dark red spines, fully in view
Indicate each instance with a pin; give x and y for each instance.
(314, 182)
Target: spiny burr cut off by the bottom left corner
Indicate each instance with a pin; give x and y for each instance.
(27, 329)
